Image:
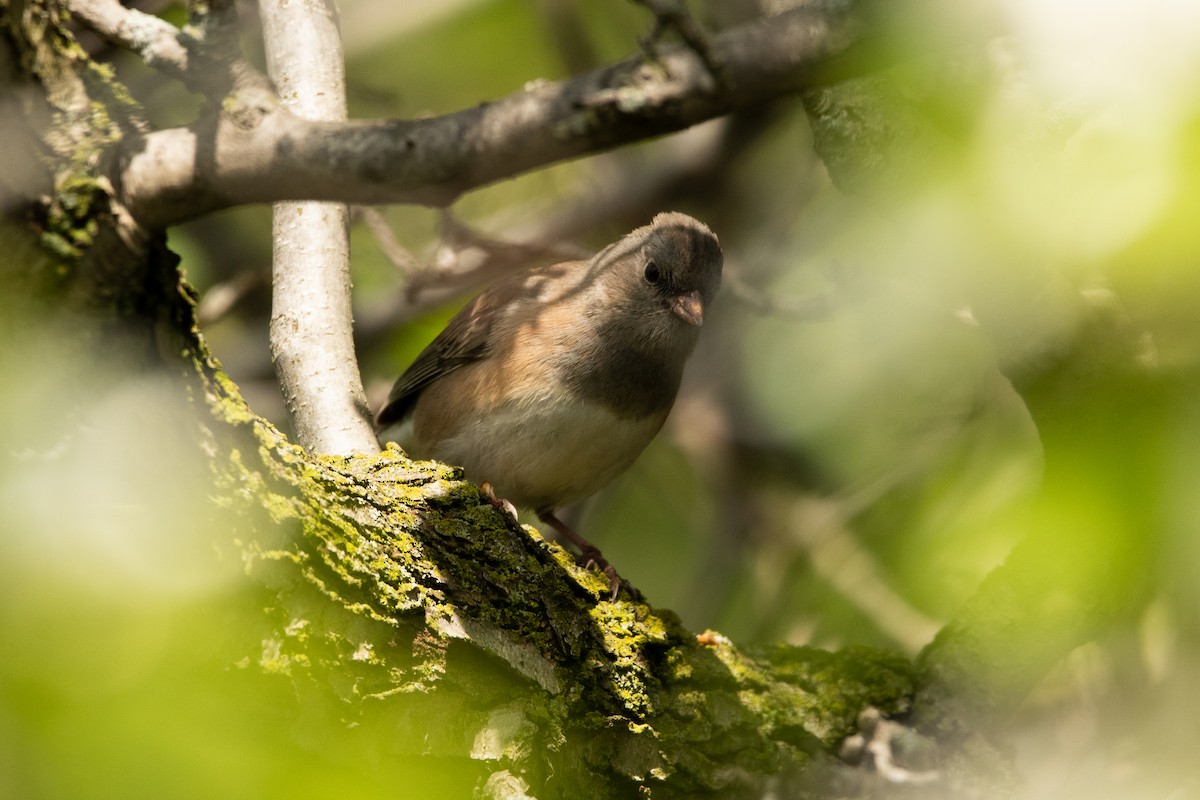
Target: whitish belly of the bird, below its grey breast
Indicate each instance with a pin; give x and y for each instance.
(543, 454)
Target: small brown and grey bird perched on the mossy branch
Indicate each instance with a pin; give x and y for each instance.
(553, 382)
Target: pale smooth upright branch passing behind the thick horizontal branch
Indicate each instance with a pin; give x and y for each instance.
(313, 344)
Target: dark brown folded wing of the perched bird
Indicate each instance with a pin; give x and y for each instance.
(465, 340)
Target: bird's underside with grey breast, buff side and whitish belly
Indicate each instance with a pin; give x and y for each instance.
(560, 408)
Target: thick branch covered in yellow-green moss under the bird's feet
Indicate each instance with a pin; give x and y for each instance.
(400, 581)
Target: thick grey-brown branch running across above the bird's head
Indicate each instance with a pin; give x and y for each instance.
(181, 173)
